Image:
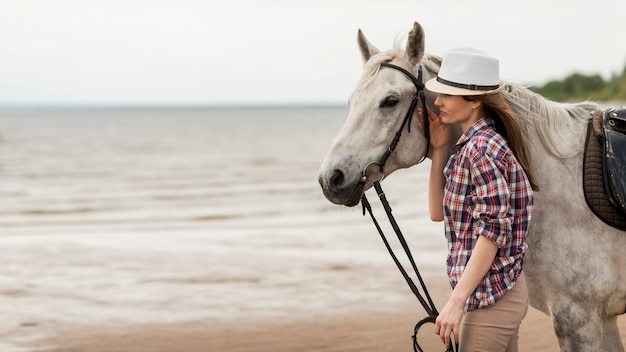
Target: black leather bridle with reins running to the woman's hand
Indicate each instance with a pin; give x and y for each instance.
(425, 299)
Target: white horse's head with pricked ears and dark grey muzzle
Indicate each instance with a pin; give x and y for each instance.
(378, 106)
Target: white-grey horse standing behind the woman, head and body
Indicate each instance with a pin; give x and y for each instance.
(575, 264)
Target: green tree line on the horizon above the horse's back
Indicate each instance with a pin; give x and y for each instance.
(576, 87)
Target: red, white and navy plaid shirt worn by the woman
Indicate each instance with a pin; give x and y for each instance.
(487, 193)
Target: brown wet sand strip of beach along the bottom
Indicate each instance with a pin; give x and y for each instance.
(360, 331)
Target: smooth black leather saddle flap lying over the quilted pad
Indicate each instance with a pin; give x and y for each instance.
(615, 155)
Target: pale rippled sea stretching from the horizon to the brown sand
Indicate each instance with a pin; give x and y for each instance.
(118, 216)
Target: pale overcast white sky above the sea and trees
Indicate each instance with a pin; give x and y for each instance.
(251, 52)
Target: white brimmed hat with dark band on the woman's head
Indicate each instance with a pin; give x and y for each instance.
(466, 71)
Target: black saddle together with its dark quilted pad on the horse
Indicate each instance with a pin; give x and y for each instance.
(604, 167)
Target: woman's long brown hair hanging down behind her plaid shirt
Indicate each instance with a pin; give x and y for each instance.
(507, 124)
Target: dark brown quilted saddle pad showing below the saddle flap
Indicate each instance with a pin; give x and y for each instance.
(596, 195)
